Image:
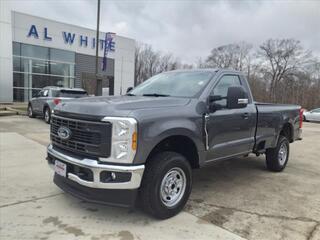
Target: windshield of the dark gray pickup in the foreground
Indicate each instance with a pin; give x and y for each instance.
(176, 84)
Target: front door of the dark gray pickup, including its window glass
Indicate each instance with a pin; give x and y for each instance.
(230, 131)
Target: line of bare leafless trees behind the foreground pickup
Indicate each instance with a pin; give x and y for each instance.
(279, 71)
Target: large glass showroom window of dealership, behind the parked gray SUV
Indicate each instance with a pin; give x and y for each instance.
(35, 67)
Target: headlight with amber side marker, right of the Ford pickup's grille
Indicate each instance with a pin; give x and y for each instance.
(124, 139)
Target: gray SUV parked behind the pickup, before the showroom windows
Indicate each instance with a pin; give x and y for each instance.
(45, 101)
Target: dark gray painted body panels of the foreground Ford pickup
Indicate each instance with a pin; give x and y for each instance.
(230, 133)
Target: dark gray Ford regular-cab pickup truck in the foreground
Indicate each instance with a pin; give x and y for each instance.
(141, 148)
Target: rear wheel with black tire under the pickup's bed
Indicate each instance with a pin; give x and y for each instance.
(276, 161)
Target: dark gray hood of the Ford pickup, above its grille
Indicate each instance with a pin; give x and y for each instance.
(120, 106)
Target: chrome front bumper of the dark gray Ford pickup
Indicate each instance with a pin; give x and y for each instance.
(97, 170)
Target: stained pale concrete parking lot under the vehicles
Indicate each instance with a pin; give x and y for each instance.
(233, 199)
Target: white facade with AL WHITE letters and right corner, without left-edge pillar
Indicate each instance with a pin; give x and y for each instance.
(124, 47)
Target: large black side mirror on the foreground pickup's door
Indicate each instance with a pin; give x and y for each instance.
(237, 97)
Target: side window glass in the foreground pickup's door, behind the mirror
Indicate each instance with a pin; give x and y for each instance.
(222, 87)
